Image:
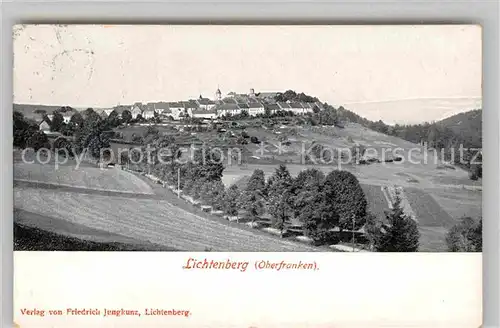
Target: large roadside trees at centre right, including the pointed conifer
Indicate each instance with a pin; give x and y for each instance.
(322, 203)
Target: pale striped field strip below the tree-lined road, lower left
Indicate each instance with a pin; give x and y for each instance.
(151, 220)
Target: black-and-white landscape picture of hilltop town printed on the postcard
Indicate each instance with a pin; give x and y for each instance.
(247, 138)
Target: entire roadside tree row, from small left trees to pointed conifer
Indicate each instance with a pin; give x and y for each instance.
(321, 203)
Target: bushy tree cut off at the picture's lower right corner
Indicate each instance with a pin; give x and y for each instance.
(466, 236)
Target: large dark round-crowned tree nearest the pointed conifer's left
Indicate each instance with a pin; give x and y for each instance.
(343, 191)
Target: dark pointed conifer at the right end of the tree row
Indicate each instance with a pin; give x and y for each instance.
(400, 234)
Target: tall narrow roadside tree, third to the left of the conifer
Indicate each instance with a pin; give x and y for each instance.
(280, 197)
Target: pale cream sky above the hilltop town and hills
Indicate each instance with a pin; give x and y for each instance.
(394, 73)
